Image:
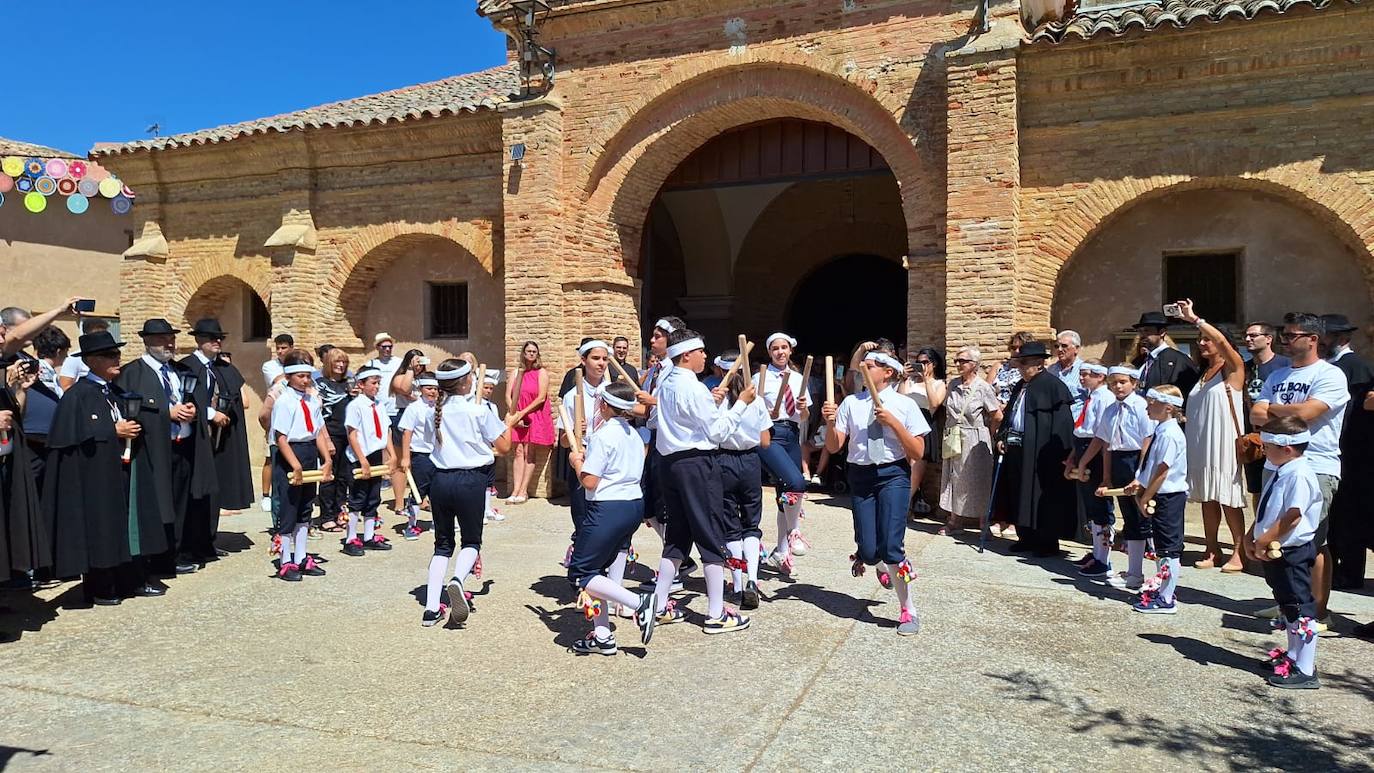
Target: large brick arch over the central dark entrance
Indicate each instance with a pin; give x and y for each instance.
(633, 164)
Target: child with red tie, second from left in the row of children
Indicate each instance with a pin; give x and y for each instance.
(369, 444)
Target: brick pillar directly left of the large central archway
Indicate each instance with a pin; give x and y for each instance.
(534, 242)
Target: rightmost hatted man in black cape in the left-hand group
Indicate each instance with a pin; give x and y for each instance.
(219, 400)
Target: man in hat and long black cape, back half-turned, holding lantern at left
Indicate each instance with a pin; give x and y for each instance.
(95, 533)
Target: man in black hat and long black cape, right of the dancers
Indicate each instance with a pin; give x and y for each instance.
(1035, 437)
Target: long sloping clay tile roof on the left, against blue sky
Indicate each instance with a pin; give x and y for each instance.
(450, 97)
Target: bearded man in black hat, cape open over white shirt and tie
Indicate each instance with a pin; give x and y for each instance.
(172, 462)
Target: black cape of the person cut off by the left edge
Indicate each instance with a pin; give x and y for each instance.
(24, 536)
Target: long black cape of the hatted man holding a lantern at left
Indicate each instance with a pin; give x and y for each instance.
(86, 489)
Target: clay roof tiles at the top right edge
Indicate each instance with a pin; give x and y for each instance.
(1148, 17)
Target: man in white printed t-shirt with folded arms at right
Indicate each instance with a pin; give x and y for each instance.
(1316, 392)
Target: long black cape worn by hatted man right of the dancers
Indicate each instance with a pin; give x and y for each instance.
(1037, 494)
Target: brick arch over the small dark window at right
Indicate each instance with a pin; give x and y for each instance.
(1346, 208)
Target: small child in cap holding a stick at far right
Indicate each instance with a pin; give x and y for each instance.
(1288, 518)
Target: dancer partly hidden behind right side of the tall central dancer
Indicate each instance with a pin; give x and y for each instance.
(741, 470)
